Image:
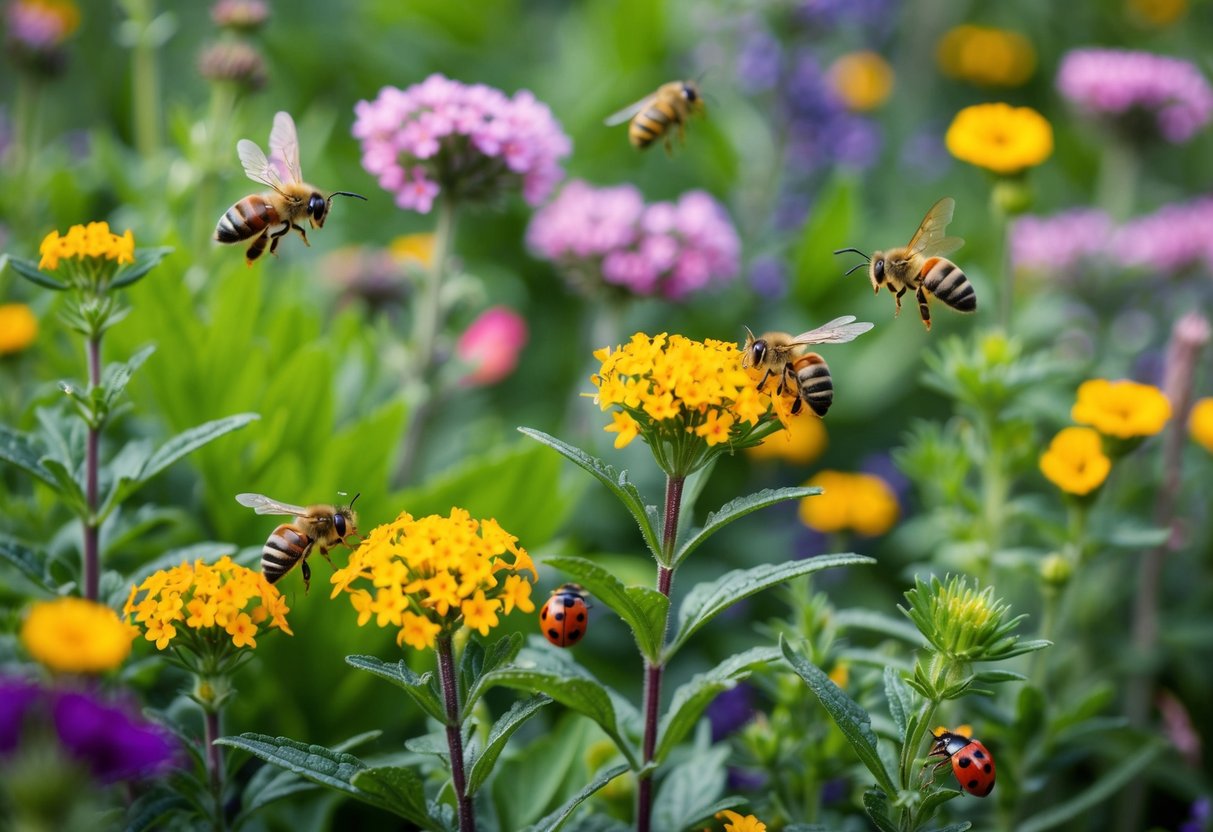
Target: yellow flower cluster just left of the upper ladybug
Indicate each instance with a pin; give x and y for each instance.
(436, 573)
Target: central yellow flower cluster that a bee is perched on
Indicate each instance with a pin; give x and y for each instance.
(669, 385)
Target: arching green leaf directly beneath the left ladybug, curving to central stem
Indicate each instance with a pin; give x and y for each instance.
(571, 685)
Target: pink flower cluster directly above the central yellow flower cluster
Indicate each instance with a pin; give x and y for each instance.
(610, 236)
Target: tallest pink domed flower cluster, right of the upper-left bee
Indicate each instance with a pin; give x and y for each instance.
(472, 141)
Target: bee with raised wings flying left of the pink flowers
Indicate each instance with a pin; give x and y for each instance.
(289, 201)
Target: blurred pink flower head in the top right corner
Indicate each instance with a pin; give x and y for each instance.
(1117, 82)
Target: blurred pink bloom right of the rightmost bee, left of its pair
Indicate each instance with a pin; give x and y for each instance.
(1062, 243)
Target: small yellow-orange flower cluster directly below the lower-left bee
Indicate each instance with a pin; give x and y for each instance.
(209, 600)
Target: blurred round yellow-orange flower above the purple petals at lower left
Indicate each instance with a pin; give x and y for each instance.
(76, 636)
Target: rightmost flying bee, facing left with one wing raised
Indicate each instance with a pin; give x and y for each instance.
(922, 267)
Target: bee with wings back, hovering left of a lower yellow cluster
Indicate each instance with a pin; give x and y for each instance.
(316, 527)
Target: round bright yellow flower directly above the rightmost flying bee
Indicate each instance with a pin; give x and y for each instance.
(1000, 138)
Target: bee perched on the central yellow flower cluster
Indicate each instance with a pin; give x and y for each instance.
(807, 374)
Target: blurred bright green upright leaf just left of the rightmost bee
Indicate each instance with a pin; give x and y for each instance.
(816, 270)
